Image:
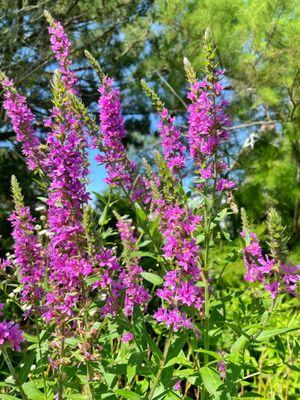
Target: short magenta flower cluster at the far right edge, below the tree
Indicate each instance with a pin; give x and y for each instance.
(274, 276)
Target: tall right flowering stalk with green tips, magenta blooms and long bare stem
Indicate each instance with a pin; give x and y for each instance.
(207, 130)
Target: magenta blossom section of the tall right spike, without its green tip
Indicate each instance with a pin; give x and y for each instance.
(207, 128)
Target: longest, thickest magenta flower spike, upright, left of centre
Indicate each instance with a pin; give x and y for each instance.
(67, 171)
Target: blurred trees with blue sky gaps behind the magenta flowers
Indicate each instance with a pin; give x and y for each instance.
(258, 45)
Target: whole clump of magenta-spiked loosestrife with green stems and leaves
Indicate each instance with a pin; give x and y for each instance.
(134, 309)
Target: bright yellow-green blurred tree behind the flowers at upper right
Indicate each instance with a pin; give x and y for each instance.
(258, 45)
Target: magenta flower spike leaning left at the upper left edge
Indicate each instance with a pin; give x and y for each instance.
(22, 122)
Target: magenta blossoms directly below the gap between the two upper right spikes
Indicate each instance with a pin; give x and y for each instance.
(180, 284)
